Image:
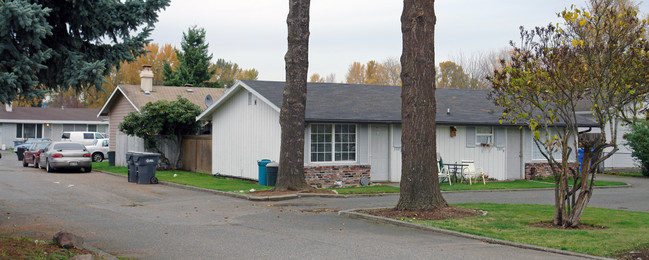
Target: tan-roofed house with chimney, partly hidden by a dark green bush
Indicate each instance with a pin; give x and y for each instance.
(131, 98)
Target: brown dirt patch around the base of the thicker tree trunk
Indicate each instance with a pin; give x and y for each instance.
(436, 214)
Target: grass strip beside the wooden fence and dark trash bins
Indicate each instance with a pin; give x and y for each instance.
(192, 179)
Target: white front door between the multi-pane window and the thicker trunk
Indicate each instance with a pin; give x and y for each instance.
(379, 152)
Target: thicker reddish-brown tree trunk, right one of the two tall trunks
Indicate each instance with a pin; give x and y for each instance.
(419, 181)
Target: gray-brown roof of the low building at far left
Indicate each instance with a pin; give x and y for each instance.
(50, 114)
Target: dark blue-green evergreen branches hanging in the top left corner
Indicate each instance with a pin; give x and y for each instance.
(63, 44)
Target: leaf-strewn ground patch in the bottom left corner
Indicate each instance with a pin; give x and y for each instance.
(26, 248)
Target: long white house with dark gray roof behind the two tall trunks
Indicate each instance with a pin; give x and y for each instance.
(354, 131)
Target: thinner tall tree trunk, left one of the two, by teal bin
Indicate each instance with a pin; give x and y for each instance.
(291, 157)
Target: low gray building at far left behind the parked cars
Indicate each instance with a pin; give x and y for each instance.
(21, 123)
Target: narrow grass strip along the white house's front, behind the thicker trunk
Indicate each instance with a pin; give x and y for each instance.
(500, 185)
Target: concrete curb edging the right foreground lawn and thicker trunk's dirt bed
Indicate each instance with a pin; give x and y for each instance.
(350, 213)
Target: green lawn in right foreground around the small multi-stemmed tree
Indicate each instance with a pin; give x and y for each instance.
(623, 230)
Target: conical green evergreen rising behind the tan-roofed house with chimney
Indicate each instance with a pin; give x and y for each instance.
(195, 66)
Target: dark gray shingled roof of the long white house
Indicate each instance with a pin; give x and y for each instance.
(334, 102)
